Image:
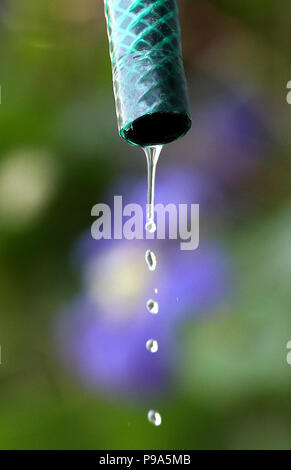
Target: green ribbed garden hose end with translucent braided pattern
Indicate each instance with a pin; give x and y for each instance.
(148, 74)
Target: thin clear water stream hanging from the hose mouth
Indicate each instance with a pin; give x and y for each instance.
(152, 155)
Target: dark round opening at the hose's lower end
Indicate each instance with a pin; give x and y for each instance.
(157, 129)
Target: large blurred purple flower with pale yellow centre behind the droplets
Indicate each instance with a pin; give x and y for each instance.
(104, 331)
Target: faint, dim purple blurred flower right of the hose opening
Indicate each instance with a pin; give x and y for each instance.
(229, 137)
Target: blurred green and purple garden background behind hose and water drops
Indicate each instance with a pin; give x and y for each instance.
(74, 372)
